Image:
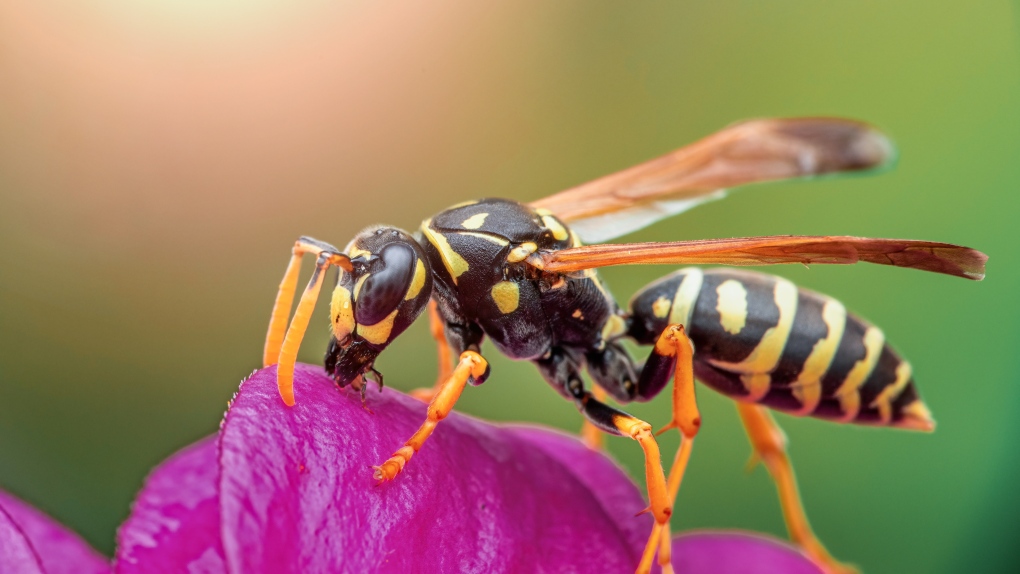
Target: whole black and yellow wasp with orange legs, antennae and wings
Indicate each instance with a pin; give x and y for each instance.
(520, 275)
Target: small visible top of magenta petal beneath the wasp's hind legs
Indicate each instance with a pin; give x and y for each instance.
(738, 553)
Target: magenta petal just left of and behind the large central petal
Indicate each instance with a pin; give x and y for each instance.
(175, 523)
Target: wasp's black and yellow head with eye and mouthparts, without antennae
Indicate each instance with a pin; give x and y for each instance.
(388, 288)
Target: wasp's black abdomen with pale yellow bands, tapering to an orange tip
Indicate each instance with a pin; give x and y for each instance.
(758, 338)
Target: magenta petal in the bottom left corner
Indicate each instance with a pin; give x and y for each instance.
(32, 542)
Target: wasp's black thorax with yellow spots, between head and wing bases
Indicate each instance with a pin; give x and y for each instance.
(480, 252)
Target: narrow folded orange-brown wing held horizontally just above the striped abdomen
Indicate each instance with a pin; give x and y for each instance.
(839, 250)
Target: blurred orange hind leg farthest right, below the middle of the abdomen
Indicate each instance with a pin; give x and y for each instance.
(770, 444)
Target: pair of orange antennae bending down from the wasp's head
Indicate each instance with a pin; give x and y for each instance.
(284, 349)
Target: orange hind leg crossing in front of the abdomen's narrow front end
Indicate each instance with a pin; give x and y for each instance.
(687, 419)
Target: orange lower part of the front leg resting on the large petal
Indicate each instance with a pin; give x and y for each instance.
(472, 366)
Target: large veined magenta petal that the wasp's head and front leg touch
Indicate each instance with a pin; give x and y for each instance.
(297, 493)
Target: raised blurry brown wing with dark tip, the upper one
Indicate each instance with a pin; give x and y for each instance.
(760, 150)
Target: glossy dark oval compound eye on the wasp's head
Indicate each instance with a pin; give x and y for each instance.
(384, 290)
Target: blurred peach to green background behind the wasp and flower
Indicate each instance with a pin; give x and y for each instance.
(159, 159)
